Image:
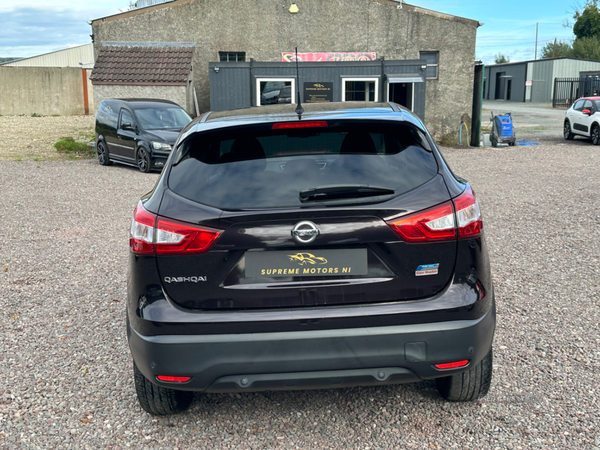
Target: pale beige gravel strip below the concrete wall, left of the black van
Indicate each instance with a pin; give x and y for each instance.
(33, 138)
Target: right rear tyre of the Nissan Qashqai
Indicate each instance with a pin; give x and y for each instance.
(470, 384)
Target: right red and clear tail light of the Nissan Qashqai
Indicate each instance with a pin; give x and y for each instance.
(459, 218)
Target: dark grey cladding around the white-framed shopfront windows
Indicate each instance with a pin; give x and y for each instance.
(234, 84)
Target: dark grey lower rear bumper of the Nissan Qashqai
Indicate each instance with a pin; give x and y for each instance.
(313, 359)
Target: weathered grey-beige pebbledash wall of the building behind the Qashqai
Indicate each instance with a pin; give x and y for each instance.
(263, 29)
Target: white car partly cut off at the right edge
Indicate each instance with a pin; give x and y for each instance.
(583, 119)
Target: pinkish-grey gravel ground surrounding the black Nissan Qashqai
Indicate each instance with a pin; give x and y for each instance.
(66, 370)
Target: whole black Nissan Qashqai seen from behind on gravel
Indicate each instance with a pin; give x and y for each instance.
(329, 249)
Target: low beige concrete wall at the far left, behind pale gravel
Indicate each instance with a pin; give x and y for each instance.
(42, 90)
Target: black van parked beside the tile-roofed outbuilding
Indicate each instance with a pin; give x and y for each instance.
(138, 132)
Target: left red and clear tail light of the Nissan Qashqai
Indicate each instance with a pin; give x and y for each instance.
(152, 234)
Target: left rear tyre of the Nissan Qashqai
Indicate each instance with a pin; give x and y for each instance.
(158, 400)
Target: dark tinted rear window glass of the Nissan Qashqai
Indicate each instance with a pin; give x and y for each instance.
(257, 167)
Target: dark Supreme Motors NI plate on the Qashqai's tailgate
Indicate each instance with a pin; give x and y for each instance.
(306, 263)
